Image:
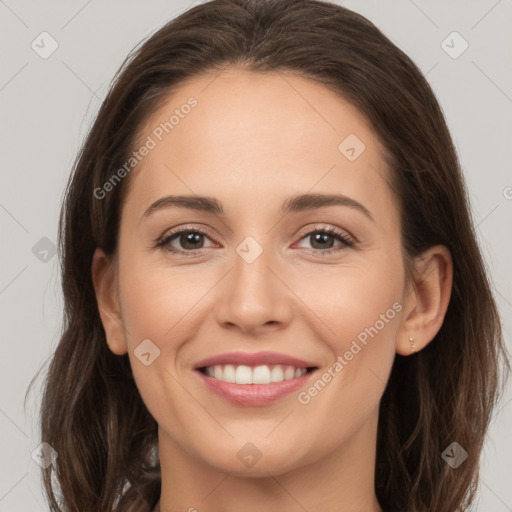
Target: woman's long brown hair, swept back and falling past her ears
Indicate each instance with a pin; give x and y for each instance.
(92, 413)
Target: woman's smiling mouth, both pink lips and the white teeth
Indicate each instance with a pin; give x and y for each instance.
(254, 379)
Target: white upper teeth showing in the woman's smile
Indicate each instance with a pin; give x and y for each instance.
(258, 375)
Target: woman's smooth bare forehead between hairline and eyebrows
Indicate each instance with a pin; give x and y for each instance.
(243, 136)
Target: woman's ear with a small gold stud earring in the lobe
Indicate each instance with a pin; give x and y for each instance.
(427, 298)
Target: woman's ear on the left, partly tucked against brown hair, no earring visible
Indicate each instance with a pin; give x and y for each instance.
(104, 278)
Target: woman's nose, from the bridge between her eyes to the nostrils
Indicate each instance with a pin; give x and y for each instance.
(252, 295)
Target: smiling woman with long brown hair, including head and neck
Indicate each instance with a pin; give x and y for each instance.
(274, 295)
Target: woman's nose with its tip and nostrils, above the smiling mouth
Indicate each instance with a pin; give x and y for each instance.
(253, 297)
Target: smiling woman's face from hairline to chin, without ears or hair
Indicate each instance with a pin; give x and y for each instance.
(257, 275)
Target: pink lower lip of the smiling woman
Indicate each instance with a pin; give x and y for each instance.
(253, 394)
